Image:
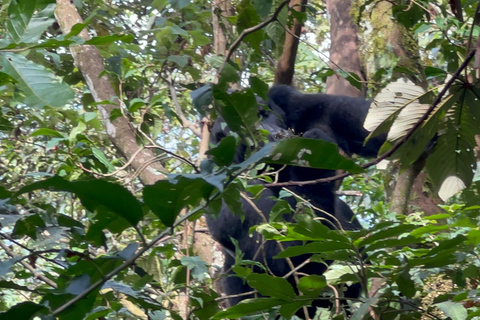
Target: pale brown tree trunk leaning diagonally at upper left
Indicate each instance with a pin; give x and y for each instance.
(90, 63)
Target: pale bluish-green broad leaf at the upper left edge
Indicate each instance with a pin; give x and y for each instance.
(40, 86)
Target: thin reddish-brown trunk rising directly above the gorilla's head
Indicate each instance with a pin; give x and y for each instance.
(286, 64)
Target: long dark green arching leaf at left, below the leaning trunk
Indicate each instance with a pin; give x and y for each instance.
(96, 195)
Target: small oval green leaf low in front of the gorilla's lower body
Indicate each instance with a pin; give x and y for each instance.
(275, 287)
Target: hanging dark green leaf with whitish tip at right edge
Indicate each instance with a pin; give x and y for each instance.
(451, 166)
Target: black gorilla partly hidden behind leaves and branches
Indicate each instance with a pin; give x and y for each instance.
(316, 116)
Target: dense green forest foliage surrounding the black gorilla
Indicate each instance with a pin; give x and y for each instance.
(82, 238)
